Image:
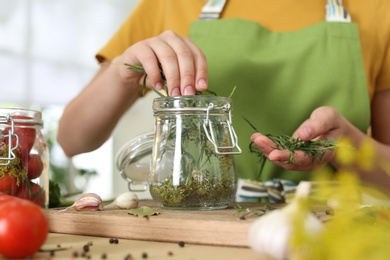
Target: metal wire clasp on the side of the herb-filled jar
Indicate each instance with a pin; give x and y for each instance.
(208, 128)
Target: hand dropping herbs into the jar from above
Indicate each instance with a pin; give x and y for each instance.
(183, 63)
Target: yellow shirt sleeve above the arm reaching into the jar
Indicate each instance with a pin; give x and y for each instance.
(143, 22)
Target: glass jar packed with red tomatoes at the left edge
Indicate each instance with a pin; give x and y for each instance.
(24, 155)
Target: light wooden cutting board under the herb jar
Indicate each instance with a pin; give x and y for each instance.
(216, 227)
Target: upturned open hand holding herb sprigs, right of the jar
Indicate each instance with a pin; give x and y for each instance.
(324, 123)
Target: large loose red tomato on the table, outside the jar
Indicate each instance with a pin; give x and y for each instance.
(24, 228)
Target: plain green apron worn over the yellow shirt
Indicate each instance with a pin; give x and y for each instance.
(281, 77)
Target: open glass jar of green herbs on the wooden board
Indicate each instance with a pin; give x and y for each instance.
(192, 164)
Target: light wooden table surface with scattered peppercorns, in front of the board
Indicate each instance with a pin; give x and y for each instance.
(101, 248)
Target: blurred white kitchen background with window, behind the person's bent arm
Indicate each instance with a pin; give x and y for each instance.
(47, 50)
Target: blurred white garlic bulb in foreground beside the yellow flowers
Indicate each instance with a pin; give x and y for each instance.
(270, 234)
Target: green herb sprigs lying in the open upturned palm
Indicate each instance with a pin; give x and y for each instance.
(313, 148)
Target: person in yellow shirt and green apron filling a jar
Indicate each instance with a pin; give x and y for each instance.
(315, 69)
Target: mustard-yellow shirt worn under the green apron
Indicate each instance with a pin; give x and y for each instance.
(152, 17)
